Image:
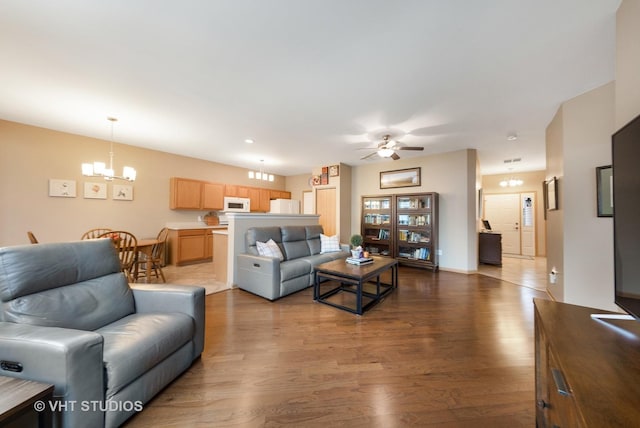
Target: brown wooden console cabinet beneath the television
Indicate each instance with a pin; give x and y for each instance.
(587, 371)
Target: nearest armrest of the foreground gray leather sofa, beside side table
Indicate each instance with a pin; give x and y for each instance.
(67, 358)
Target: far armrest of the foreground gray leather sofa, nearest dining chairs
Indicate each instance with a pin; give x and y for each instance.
(189, 300)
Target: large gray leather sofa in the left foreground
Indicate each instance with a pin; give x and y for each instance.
(69, 318)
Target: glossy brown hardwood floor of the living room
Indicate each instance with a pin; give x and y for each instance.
(444, 349)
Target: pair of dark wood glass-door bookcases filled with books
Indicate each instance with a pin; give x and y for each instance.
(402, 226)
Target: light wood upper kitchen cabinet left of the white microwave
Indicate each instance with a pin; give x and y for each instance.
(188, 194)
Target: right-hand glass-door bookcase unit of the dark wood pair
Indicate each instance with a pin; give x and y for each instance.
(417, 229)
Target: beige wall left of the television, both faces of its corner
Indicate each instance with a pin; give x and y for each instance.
(580, 244)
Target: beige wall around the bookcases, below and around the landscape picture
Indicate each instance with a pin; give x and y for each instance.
(453, 176)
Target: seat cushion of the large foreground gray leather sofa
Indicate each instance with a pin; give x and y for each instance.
(138, 342)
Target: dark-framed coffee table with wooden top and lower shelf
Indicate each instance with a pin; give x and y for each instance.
(362, 281)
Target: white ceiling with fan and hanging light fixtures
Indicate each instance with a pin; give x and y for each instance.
(312, 81)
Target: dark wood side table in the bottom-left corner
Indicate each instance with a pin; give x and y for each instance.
(18, 400)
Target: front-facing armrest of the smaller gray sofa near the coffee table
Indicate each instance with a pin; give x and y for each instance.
(259, 275)
